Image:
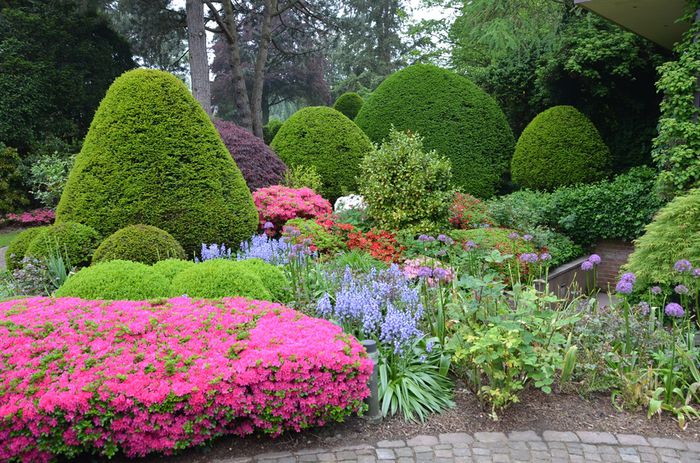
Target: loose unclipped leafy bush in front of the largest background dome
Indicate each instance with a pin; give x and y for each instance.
(405, 186)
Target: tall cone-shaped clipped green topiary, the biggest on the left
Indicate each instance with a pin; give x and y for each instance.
(152, 156)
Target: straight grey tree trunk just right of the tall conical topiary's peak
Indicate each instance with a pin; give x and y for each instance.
(199, 60)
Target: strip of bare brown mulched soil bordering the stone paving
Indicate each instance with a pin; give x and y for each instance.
(536, 411)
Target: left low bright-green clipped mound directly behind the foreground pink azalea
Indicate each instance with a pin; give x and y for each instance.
(116, 280)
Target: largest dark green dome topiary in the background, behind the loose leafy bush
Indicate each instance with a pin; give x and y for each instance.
(454, 116)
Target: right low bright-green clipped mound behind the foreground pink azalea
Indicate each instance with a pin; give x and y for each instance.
(220, 278)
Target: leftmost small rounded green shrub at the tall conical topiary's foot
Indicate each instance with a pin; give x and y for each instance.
(74, 241)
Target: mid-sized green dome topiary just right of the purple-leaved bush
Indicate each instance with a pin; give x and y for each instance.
(323, 137)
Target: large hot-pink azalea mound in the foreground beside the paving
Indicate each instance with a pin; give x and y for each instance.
(98, 377)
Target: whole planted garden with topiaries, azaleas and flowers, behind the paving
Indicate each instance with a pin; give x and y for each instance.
(178, 283)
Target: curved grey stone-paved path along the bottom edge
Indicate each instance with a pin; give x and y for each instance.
(551, 446)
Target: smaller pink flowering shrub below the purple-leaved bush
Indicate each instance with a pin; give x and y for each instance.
(278, 204)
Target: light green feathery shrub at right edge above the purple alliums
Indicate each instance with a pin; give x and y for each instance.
(673, 235)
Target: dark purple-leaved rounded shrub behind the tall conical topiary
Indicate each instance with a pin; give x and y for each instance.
(260, 166)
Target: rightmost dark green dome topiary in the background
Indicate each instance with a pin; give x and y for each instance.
(559, 147)
